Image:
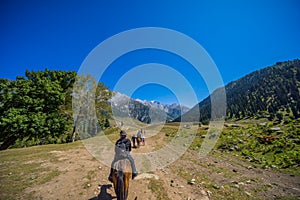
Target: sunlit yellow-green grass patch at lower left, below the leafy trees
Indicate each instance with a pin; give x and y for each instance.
(22, 168)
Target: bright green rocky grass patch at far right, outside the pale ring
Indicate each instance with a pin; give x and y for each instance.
(282, 154)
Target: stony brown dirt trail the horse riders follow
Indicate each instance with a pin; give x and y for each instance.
(84, 177)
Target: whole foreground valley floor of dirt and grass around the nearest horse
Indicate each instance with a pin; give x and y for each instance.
(70, 172)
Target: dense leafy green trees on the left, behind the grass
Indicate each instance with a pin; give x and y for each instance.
(37, 108)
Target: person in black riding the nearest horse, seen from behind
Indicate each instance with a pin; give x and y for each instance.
(122, 149)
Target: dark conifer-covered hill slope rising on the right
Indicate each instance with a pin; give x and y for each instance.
(272, 92)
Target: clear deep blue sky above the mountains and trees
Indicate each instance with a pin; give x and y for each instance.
(240, 36)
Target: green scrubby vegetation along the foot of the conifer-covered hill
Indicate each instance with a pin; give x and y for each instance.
(263, 144)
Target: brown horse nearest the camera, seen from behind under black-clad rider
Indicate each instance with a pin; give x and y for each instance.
(121, 176)
